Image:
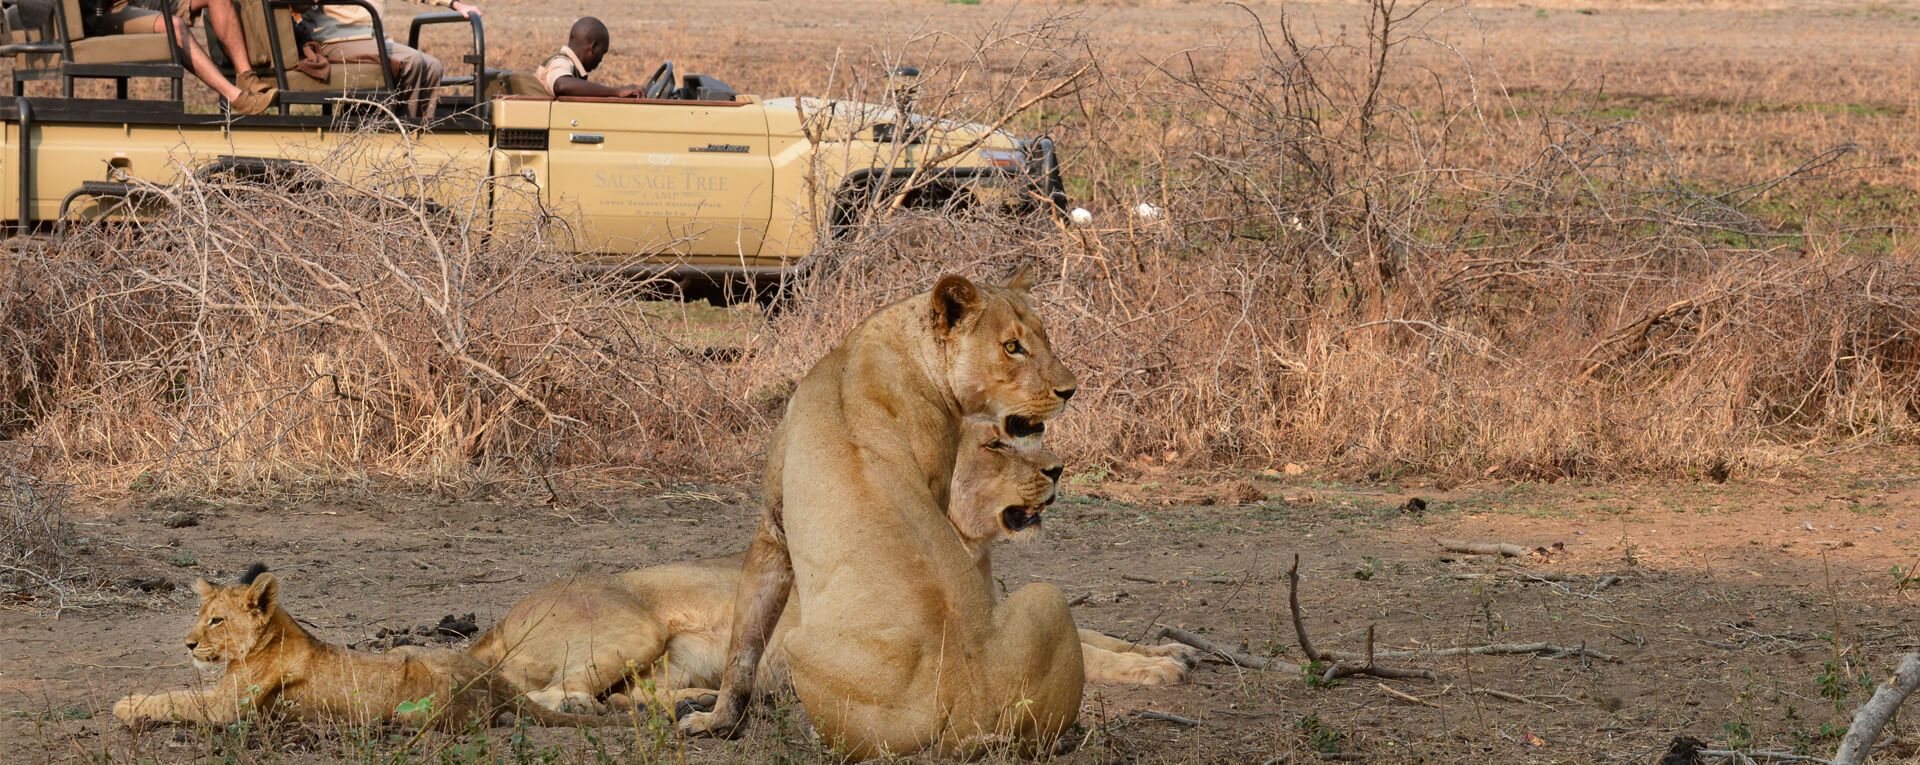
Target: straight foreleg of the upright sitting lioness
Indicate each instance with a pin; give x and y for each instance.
(765, 583)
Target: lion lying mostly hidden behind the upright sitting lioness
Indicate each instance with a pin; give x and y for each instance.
(569, 643)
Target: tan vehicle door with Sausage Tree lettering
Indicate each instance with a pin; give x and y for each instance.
(661, 178)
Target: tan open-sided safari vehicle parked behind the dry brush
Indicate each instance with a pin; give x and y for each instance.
(694, 182)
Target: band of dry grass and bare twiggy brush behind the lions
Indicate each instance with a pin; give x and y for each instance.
(1374, 255)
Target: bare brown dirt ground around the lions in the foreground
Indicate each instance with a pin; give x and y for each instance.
(1723, 624)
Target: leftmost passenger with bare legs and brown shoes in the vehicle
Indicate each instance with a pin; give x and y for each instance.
(120, 18)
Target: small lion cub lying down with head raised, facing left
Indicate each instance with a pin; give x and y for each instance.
(274, 664)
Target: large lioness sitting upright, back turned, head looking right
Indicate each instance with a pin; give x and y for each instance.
(900, 645)
